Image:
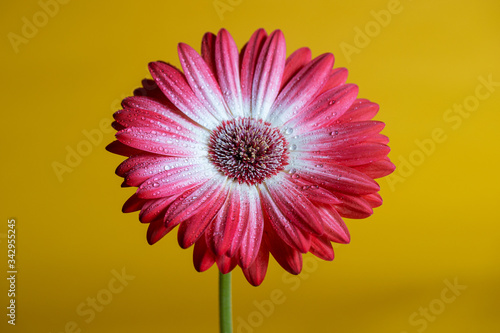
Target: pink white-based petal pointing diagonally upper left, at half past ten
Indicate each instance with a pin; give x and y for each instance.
(174, 85)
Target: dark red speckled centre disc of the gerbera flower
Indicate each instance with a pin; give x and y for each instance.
(248, 150)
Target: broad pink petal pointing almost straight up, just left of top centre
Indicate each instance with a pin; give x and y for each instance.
(228, 72)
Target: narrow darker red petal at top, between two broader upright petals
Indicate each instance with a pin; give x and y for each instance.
(248, 63)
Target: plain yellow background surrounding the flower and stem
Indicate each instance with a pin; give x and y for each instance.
(439, 224)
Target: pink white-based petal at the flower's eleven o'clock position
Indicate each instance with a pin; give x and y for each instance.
(202, 82)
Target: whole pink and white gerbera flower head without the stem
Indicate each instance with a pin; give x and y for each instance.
(250, 153)
